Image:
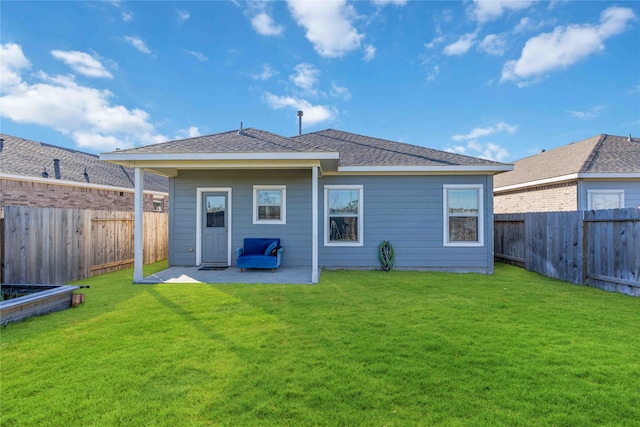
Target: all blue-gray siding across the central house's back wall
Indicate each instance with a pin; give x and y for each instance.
(406, 210)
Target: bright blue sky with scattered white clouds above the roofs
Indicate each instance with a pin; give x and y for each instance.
(493, 79)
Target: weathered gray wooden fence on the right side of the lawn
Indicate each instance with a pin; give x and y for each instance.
(595, 248)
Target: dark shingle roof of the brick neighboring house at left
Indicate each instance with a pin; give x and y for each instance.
(23, 158)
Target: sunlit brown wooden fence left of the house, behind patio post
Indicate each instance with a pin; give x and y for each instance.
(48, 245)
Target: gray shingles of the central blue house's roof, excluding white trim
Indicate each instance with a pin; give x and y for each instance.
(354, 150)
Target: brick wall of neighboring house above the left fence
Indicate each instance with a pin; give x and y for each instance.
(45, 195)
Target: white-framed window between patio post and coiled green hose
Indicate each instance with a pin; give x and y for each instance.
(343, 215)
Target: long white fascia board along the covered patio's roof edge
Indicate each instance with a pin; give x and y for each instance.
(127, 157)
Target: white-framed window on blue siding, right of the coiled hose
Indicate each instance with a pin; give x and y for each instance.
(463, 215)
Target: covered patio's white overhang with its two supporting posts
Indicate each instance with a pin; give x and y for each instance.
(170, 164)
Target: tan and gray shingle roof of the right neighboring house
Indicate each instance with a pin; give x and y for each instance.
(617, 156)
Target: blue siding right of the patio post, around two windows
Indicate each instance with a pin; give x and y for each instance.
(408, 212)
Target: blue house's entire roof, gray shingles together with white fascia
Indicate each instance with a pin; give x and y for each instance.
(347, 151)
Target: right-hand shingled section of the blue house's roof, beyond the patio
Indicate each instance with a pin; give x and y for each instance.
(359, 150)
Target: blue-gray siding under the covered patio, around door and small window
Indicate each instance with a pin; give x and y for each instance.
(295, 235)
